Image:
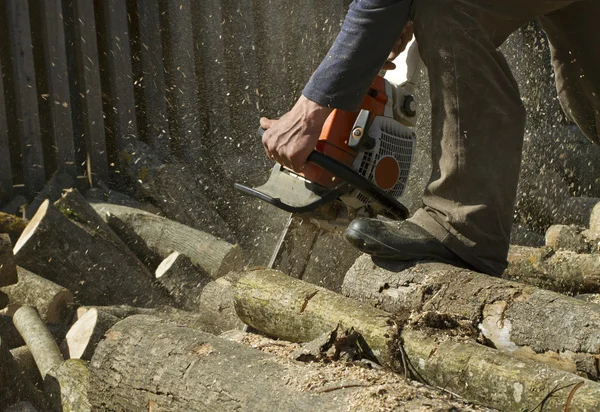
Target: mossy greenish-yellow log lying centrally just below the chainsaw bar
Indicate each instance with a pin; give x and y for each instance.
(317, 311)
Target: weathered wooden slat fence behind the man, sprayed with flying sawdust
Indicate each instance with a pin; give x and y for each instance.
(188, 77)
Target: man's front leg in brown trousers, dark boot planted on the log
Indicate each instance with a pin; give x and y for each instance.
(477, 128)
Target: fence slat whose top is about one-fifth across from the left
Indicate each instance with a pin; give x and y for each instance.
(120, 77)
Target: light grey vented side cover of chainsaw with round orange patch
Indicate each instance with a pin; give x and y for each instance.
(388, 164)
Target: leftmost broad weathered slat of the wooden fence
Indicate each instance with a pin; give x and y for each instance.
(26, 103)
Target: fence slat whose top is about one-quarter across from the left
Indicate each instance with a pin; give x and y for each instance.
(153, 73)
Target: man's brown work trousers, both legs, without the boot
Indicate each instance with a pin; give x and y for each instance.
(478, 117)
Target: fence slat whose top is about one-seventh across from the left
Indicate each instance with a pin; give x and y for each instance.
(86, 49)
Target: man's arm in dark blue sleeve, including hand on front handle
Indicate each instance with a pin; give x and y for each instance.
(369, 32)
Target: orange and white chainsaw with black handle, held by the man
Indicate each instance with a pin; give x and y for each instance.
(361, 163)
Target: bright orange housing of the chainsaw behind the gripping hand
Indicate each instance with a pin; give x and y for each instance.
(337, 131)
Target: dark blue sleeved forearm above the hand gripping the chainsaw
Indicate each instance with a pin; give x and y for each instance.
(367, 36)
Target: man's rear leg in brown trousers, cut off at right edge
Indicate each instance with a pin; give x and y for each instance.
(574, 35)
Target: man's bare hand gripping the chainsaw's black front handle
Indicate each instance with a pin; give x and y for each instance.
(294, 136)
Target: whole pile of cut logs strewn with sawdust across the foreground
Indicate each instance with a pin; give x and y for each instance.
(110, 307)
